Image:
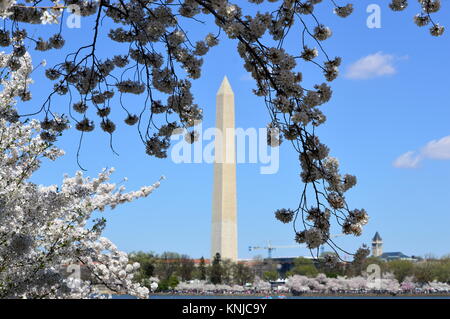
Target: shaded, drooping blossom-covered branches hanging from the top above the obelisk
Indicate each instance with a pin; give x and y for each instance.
(159, 59)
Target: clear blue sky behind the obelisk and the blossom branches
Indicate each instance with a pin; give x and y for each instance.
(392, 102)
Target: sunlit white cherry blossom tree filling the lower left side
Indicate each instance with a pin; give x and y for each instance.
(43, 228)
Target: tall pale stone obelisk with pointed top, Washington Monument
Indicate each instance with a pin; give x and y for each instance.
(224, 210)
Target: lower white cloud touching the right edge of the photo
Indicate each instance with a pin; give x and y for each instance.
(436, 149)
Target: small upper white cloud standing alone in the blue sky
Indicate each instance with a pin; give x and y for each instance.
(371, 66)
